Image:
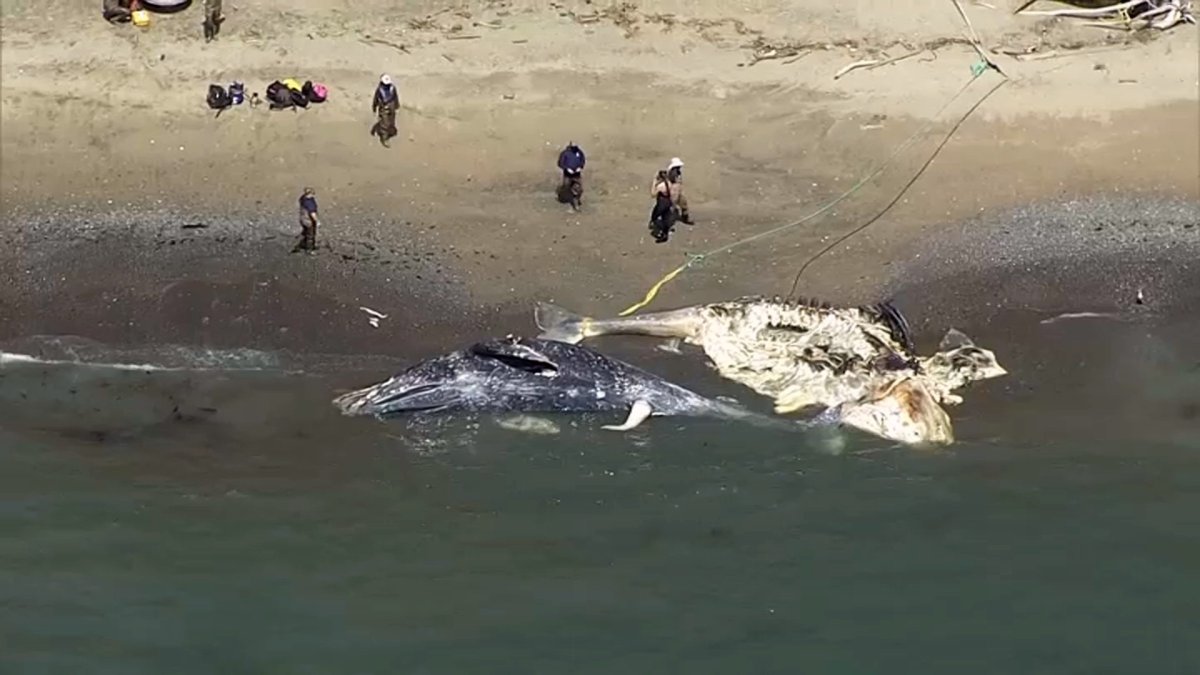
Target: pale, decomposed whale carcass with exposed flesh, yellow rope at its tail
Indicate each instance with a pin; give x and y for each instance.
(857, 365)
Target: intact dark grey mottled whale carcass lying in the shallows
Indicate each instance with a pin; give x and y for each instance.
(527, 375)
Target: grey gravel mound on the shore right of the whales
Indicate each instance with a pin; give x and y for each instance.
(1045, 260)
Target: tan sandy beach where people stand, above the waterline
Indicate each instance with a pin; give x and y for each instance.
(135, 214)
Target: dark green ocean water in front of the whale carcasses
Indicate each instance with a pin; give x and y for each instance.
(211, 512)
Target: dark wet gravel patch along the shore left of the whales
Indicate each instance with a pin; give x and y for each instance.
(139, 277)
